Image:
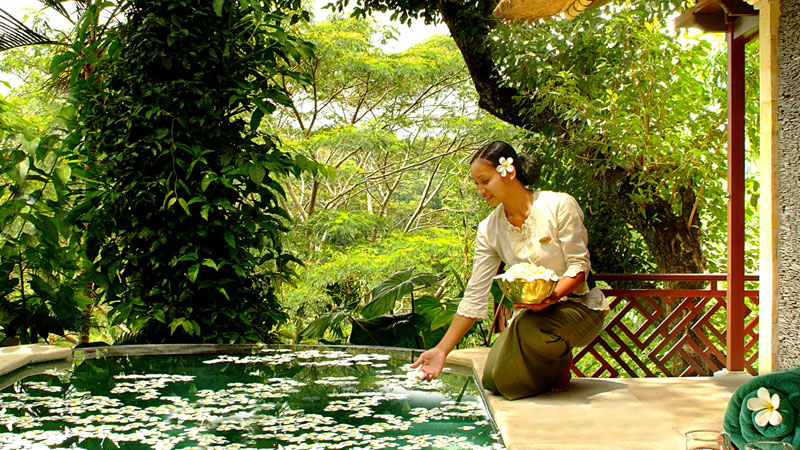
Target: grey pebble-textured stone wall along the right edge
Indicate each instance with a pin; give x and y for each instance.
(789, 190)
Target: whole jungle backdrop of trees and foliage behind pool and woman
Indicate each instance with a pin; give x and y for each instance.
(238, 171)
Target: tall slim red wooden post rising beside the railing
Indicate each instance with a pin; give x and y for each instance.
(736, 201)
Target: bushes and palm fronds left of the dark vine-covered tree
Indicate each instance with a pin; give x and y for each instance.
(41, 247)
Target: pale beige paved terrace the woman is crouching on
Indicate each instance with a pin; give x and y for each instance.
(608, 413)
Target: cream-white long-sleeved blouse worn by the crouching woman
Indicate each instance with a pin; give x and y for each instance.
(553, 236)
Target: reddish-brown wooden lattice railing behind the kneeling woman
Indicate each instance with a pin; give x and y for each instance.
(669, 332)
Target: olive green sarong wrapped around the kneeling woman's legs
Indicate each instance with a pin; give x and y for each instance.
(528, 356)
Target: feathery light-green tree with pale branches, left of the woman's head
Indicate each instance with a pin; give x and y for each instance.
(391, 129)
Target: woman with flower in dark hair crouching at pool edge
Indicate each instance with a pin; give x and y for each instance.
(545, 228)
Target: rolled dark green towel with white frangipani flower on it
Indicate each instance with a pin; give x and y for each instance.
(766, 408)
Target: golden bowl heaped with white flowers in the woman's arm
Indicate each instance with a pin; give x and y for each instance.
(527, 283)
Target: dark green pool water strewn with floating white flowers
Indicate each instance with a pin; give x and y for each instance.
(275, 398)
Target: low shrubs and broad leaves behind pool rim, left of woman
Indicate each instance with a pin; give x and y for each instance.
(419, 321)
